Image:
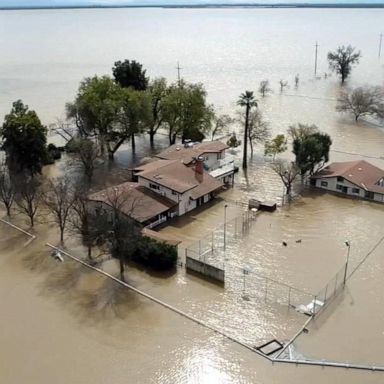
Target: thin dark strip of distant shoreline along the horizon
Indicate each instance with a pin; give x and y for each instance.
(218, 5)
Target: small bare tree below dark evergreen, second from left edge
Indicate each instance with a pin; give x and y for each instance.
(28, 196)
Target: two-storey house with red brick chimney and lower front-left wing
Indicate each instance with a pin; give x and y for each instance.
(161, 189)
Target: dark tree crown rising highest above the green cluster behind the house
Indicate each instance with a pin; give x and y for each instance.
(130, 74)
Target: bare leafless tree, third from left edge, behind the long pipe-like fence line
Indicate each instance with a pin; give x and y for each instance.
(59, 199)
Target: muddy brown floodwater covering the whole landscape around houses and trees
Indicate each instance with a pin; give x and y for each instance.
(66, 324)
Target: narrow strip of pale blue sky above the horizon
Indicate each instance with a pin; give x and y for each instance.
(17, 3)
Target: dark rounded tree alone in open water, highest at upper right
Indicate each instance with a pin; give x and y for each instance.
(342, 59)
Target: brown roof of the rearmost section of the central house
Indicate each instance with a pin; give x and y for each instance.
(187, 153)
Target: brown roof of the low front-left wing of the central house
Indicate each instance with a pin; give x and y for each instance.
(136, 201)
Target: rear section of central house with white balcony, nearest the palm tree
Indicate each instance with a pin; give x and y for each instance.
(216, 161)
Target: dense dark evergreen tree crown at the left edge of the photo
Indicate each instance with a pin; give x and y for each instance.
(24, 140)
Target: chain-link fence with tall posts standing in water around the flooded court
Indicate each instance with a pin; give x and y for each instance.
(213, 249)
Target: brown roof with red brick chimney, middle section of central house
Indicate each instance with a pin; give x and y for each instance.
(176, 176)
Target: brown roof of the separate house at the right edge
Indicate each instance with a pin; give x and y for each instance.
(360, 173)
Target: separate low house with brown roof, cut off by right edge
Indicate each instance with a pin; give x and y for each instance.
(353, 178)
